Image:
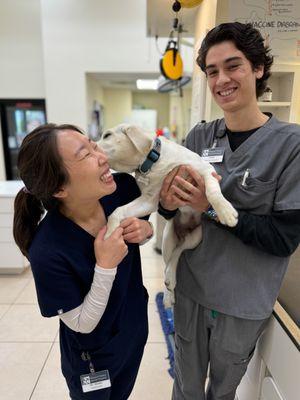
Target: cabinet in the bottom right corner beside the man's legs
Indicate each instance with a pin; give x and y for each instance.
(273, 372)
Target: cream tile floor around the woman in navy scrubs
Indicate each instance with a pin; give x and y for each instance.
(29, 349)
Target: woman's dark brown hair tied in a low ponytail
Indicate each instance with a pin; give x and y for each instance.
(43, 173)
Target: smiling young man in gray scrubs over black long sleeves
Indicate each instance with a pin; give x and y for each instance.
(227, 285)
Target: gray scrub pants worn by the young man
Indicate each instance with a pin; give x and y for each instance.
(204, 337)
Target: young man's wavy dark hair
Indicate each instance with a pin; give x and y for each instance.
(246, 39)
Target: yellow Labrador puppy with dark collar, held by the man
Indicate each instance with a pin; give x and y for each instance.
(131, 149)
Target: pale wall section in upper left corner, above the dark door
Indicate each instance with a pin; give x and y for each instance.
(21, 60)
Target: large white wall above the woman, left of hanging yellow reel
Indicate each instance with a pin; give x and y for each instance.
(91, 36)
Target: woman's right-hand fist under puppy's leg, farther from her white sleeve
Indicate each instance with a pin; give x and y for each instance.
(136, 230)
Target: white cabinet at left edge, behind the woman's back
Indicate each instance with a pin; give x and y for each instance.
(11, 259)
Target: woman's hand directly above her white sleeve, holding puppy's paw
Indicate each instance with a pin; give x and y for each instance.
(111, 251)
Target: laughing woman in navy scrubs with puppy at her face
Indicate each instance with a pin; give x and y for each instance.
(93, 284)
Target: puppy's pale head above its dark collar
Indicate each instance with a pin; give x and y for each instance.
(126, 146)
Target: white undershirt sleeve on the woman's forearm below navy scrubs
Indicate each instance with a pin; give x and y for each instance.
(86, 317)
